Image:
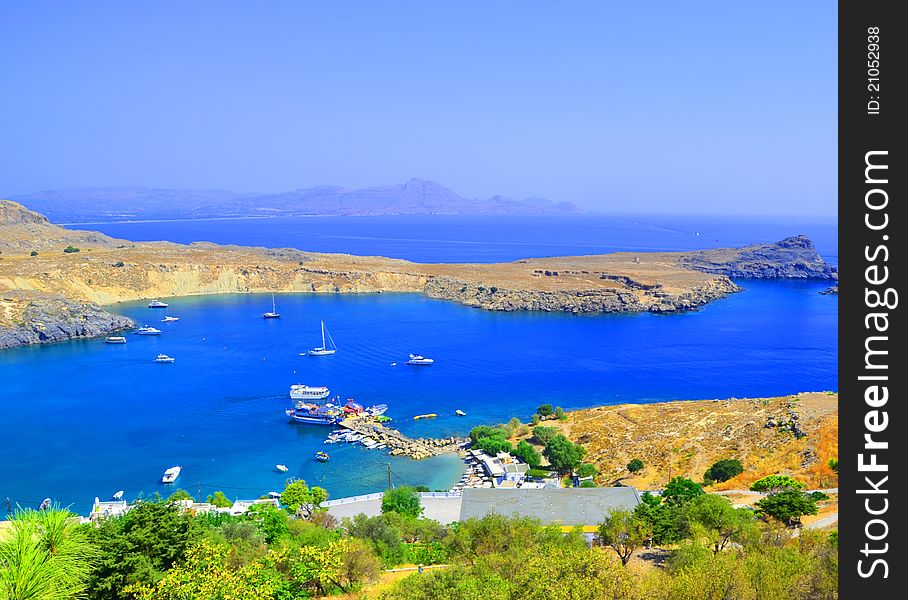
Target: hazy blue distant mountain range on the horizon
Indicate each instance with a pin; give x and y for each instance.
(415, 197)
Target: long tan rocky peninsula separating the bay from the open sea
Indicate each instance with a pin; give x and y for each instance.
(55, 281)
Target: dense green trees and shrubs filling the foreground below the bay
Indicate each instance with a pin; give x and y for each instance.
(159, 550)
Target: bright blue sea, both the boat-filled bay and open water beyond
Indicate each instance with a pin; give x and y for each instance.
(84, 419)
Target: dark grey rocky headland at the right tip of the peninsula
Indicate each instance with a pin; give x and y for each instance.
(792, 258)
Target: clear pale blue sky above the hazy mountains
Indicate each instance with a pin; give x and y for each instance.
(718, 107)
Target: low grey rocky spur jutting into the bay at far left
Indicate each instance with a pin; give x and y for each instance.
(27, 319)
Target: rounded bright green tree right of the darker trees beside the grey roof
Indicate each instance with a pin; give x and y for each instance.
(714, 518)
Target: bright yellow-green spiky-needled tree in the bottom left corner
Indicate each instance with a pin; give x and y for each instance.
(45, 555)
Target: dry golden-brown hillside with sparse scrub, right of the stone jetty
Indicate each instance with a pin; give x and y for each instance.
(686, 437)
